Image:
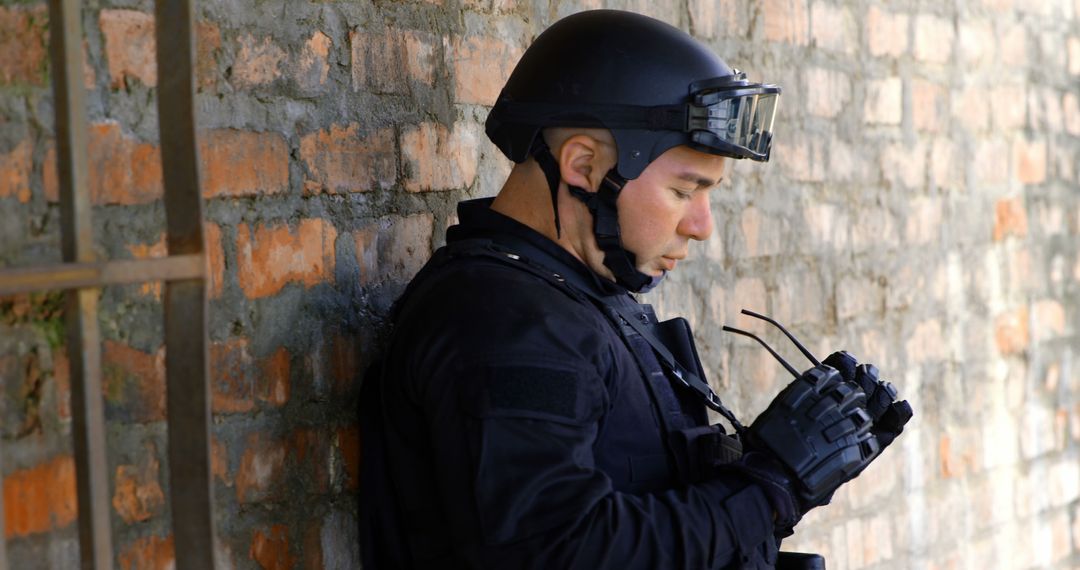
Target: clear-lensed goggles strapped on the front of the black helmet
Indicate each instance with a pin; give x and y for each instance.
(733, 116)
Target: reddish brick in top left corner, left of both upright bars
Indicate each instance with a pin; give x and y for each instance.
(23, 42)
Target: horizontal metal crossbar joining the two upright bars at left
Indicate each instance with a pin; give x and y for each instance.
(80, 276)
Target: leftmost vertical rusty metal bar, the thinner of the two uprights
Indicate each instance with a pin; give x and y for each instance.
(88, 413)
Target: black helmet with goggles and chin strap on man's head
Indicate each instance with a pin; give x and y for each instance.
(650, 84)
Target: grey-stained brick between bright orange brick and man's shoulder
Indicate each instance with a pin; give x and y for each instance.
(395, 248)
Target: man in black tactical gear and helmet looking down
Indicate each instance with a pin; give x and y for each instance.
(530, 413)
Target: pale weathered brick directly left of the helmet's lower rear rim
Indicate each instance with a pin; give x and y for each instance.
(436, 158)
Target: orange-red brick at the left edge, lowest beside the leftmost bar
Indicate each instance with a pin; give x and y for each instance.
(40, 499)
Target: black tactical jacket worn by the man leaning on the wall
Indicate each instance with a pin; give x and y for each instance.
(528, 431)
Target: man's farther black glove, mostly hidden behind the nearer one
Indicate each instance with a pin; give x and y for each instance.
(888, 415)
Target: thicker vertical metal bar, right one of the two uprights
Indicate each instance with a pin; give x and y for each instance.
(186, 364)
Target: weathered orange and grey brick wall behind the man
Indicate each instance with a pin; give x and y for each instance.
(923, 209)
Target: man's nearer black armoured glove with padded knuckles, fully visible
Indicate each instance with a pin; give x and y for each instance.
(814, 437)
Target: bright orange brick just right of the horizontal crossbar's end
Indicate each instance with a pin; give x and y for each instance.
(273, 256)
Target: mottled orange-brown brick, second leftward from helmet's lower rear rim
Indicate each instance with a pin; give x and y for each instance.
(341, 160)
